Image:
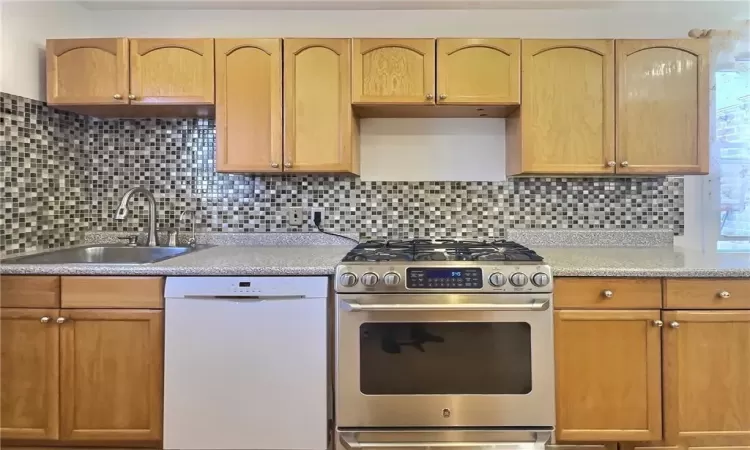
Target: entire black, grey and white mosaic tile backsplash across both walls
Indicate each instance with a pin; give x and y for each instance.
(82, 166)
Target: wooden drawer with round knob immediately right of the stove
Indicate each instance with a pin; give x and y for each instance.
(607, 293)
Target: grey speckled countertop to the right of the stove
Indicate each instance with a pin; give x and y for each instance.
(643, 262)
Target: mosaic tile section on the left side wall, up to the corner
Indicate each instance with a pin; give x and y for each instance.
(43, 176)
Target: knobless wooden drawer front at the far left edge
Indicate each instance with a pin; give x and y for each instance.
(27, 291)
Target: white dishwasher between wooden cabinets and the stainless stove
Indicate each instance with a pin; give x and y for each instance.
(246, 363)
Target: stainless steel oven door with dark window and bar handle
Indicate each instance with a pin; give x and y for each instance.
(449, 360)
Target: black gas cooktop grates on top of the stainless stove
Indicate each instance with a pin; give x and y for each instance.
(440, 250)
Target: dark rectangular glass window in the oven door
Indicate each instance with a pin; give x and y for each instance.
(445, 358)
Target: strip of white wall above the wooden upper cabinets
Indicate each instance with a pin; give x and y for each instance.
(671, 22)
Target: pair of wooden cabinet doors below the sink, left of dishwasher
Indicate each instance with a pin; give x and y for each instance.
(88, 376)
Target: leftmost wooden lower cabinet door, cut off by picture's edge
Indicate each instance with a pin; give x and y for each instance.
(29, 393)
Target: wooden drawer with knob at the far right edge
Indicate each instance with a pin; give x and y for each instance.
(707, 293)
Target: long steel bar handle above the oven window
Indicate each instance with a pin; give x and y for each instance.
(534, 305)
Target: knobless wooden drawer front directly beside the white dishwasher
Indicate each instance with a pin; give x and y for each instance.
(112, 292)
